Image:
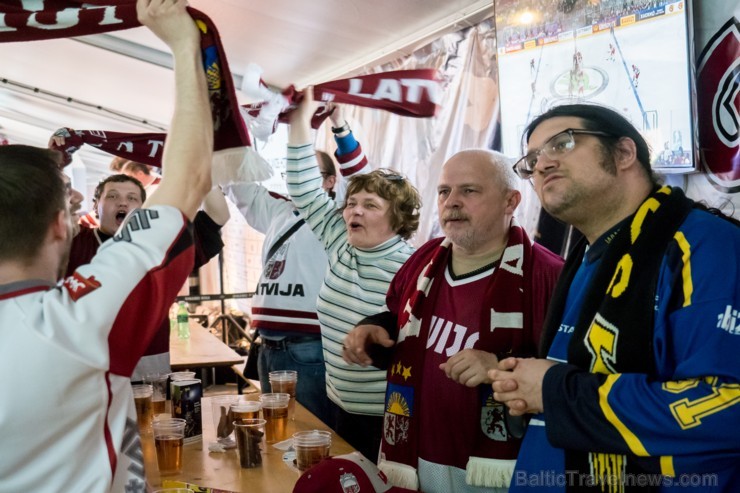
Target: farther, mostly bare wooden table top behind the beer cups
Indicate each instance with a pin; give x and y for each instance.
(202, 349)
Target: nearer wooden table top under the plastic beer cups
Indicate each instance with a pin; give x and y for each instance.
(222, 470)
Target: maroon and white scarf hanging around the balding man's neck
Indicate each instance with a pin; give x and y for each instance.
(505, 304)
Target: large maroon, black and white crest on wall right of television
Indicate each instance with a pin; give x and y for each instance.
(719, 133)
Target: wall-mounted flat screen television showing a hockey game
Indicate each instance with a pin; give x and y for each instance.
(634, 56)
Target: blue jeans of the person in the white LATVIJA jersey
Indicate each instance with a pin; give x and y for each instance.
(307, 358)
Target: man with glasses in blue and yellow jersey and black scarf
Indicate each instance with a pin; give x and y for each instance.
(641, 377)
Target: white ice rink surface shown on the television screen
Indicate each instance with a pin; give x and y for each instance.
(657, 102)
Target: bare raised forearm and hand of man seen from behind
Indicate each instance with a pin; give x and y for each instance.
(186, 162)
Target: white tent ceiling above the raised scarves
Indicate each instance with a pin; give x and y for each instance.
(128, 72)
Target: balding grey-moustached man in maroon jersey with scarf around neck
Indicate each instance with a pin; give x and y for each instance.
(455, 307)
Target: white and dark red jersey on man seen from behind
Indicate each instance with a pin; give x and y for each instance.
(67, 416)
